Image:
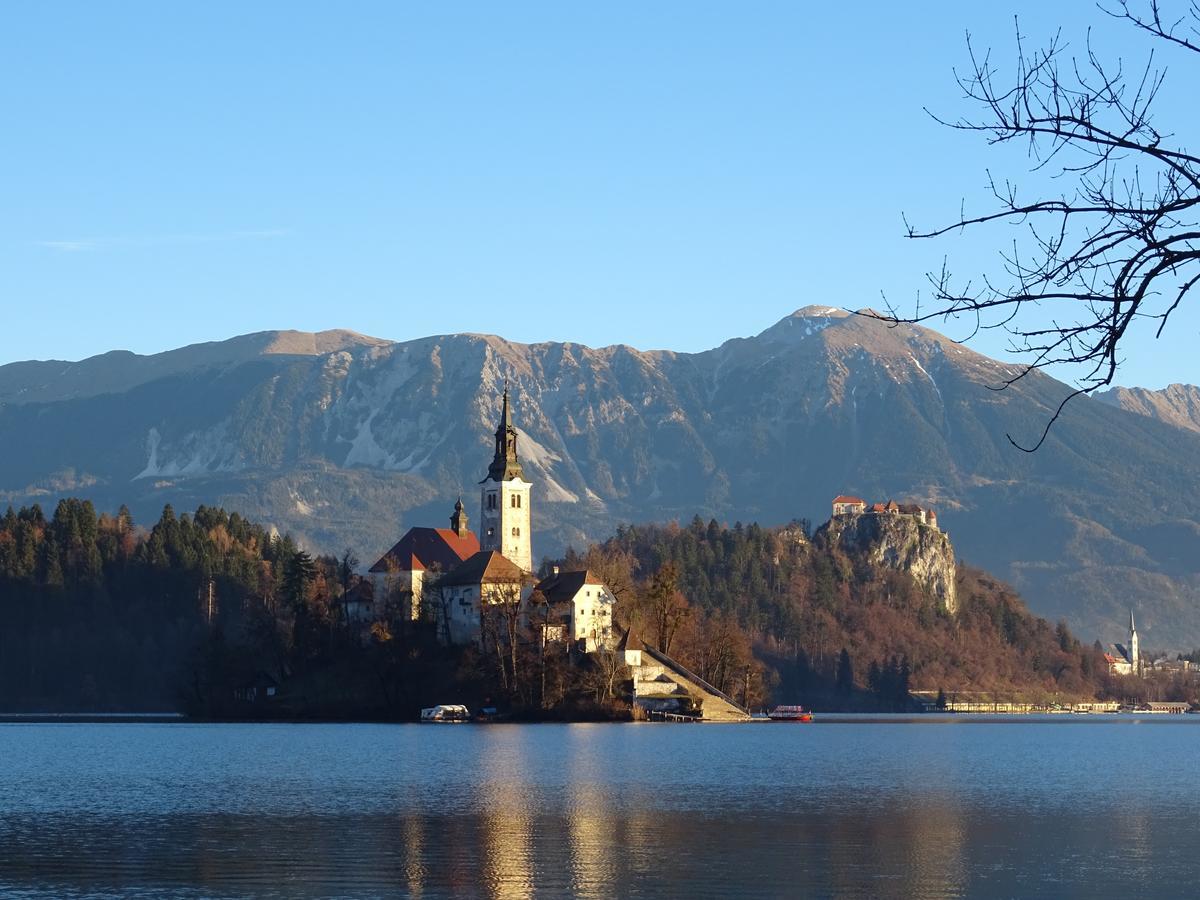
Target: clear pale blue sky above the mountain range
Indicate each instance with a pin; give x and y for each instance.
(659, 175)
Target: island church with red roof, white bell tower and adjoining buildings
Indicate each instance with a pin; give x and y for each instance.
(457, 580)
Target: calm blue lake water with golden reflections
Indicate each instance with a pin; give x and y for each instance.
(1079, 807)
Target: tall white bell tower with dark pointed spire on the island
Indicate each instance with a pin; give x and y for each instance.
(505, 497)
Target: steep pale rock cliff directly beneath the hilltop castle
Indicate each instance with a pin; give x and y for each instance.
(901, 543)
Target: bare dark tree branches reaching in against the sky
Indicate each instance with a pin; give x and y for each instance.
(1121, 243)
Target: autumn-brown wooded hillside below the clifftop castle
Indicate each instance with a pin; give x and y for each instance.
(829, 626)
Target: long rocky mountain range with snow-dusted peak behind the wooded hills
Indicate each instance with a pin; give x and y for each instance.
(346, 441)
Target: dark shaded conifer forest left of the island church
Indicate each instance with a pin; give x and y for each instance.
(101, 615)
